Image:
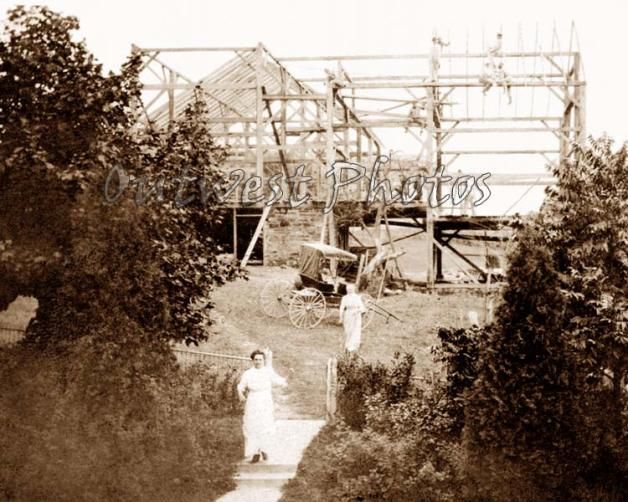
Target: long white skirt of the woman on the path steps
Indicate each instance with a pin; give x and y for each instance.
(258, 424)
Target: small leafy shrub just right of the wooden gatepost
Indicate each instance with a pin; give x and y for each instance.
(358, 379)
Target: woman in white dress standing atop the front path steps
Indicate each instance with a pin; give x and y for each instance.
(258, 423)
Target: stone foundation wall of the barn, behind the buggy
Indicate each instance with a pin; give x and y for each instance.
(286, 228)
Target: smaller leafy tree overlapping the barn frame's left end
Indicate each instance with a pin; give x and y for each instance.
(182, 165)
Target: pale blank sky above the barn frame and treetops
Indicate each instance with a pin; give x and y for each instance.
(352, 27)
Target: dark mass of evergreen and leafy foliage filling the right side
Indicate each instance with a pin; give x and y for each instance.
(549, 395)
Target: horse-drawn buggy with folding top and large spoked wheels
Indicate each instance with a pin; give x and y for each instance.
(324, 272)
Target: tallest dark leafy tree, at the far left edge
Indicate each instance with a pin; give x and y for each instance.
(60, 121)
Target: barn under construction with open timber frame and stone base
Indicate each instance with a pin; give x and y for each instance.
(511, 114)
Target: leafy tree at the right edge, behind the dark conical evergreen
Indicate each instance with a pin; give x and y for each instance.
(587, 216)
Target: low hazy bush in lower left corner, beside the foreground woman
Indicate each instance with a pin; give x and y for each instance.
(77, 427)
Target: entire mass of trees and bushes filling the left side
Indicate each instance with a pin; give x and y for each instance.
(92, 405)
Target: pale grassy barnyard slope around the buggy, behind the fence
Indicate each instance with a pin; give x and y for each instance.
(301, 355)
